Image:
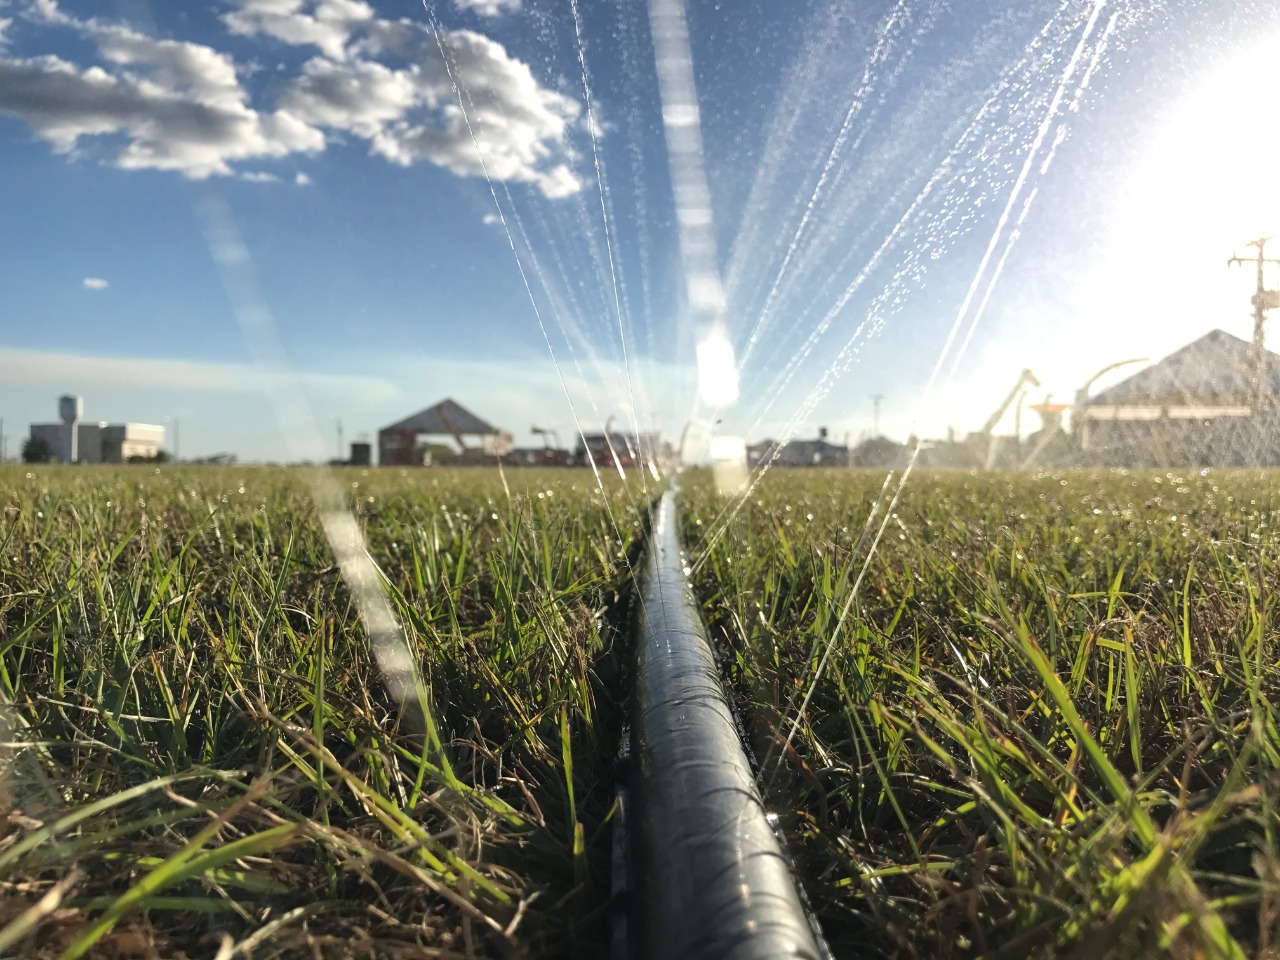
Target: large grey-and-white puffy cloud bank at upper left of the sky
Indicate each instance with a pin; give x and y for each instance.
(175, 106)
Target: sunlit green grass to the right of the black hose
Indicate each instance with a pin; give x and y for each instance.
(1048, 726)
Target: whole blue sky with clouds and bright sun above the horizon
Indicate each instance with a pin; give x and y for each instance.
(267, 220)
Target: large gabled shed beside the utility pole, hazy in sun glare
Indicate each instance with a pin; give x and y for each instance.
(1196, 408)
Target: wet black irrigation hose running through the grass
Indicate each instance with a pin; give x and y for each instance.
(708, 877)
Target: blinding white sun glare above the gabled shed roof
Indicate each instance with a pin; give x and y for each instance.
(1204, 189)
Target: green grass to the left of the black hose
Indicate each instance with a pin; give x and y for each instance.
(200, 757)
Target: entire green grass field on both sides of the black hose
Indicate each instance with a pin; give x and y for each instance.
(1045, 726)
